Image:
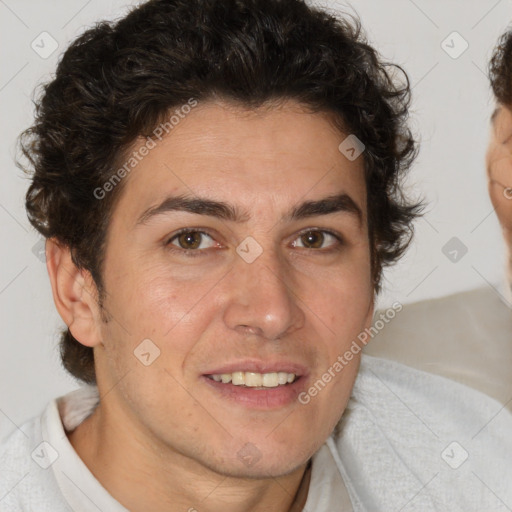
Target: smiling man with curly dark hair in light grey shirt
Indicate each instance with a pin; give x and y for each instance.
(218, 183)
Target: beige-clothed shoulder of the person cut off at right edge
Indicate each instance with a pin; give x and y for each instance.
(464, 337)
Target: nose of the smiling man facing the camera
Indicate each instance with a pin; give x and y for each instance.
(261, 298)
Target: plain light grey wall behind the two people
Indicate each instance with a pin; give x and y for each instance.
(451, 107)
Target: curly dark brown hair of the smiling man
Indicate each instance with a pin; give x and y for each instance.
(120, 79)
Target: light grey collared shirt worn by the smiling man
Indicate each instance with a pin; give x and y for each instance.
(408, 441)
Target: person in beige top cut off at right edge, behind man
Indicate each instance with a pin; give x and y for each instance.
(468, 336)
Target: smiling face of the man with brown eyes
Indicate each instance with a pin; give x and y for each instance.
(291, 299)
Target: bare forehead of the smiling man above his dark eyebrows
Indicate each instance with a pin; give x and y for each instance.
(249, 157)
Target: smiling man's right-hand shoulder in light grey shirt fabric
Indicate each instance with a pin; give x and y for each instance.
(418, 441)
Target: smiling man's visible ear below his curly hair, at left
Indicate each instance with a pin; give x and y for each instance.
(74, 293)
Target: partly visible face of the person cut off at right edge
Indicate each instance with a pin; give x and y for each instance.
(499, 167)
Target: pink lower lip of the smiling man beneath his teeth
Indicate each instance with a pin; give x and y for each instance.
(263, 399)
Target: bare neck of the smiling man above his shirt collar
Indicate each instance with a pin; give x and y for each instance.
(142, 478)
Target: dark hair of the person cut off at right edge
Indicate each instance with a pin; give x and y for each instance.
(500, 69)
